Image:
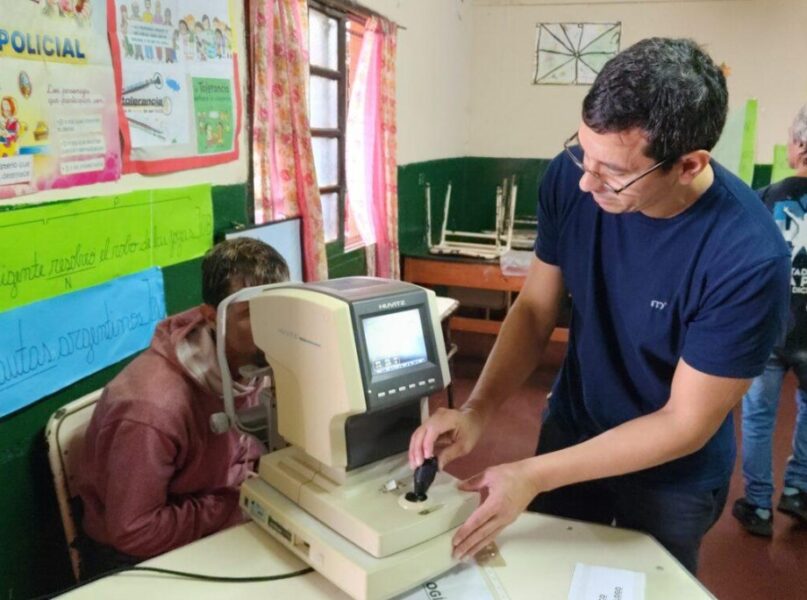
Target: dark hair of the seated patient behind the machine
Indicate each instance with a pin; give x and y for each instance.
(237, 263)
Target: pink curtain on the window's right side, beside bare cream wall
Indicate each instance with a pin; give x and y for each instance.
(371, 164)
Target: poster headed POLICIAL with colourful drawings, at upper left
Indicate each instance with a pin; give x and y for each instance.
(58, 114)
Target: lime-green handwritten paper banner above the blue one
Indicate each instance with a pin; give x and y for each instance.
(57, 248)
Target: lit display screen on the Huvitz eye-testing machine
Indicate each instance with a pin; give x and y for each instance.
(395, 341)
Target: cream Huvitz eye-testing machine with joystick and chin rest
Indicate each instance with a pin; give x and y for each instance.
(352, 362)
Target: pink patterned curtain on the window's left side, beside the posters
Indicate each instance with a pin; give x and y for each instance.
(283, 162)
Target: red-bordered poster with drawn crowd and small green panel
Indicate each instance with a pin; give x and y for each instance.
(177, 77)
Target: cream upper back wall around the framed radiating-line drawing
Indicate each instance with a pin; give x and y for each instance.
(762, 42)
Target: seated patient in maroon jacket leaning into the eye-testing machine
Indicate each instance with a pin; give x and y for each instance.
(153, 475)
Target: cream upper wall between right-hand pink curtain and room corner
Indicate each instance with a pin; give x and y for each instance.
(433, 76)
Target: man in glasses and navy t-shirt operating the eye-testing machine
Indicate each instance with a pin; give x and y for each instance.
(679, 284)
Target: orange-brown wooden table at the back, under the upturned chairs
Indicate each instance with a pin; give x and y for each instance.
(469, 273)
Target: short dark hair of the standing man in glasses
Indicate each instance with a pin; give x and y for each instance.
(669, 88)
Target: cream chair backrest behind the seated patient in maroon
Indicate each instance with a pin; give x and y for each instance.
(65, 437)
